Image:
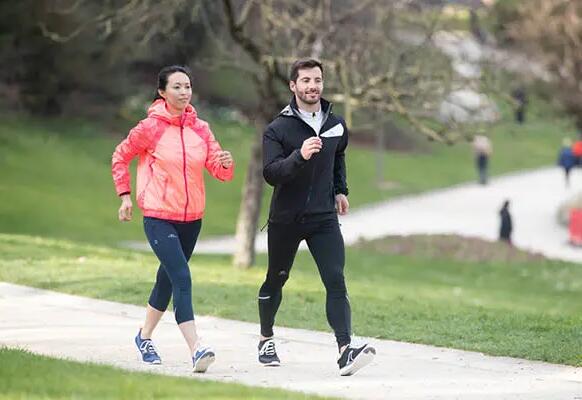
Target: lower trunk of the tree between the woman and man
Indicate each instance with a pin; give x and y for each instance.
(250, 208)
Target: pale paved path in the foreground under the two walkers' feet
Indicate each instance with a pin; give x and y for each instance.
(85, 329)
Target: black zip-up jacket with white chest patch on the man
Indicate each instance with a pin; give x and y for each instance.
(304, 190)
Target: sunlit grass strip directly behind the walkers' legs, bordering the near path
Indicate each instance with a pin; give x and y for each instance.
(519, 307)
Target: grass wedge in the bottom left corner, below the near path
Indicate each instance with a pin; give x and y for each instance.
(27, 376)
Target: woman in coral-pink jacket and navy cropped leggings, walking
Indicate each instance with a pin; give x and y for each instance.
(174, 147)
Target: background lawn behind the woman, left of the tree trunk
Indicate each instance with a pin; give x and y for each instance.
(56, 182)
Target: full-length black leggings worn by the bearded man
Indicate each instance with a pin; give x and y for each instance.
(326, 245)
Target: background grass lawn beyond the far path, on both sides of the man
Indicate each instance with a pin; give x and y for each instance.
(56, 179)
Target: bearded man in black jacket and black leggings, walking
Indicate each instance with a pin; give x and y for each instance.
(303, 158)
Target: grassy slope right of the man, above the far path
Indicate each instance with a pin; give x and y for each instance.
(515, 148)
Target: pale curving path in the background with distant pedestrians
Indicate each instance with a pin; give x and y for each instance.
(467, 209)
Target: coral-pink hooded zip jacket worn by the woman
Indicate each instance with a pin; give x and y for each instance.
(173, 151)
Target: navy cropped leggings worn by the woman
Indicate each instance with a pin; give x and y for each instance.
(173, 244)
